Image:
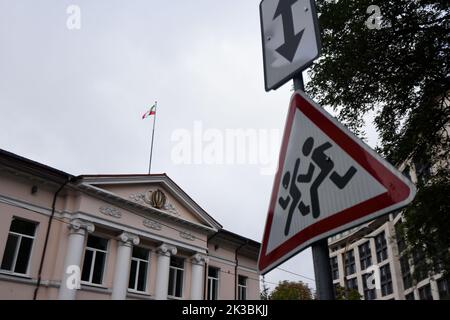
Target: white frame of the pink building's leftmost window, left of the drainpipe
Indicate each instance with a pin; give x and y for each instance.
(16, 251)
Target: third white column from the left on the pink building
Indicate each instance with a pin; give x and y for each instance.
(164, 252)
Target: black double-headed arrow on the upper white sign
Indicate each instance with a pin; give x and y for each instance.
(291, 40)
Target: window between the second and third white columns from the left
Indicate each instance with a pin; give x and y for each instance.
(139, 269)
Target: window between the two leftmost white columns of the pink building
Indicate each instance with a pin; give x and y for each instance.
(94, 260)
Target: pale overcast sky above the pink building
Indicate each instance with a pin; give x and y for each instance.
(73, 99)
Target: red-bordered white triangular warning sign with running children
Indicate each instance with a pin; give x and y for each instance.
(328, 181)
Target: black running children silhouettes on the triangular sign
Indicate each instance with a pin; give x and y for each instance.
(318, 160)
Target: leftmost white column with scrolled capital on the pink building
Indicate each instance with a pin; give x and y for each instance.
(72, 263)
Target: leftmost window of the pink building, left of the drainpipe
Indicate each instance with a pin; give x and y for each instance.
(18, 247)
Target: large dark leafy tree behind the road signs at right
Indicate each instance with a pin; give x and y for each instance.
(400, 74)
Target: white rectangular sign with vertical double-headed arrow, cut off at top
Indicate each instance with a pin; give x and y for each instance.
(290, 39)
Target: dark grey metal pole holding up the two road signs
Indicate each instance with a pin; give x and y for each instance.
(321, 257)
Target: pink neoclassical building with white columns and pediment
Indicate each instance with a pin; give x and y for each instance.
(113, 237)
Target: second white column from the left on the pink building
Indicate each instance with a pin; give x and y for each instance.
(123, 261)
